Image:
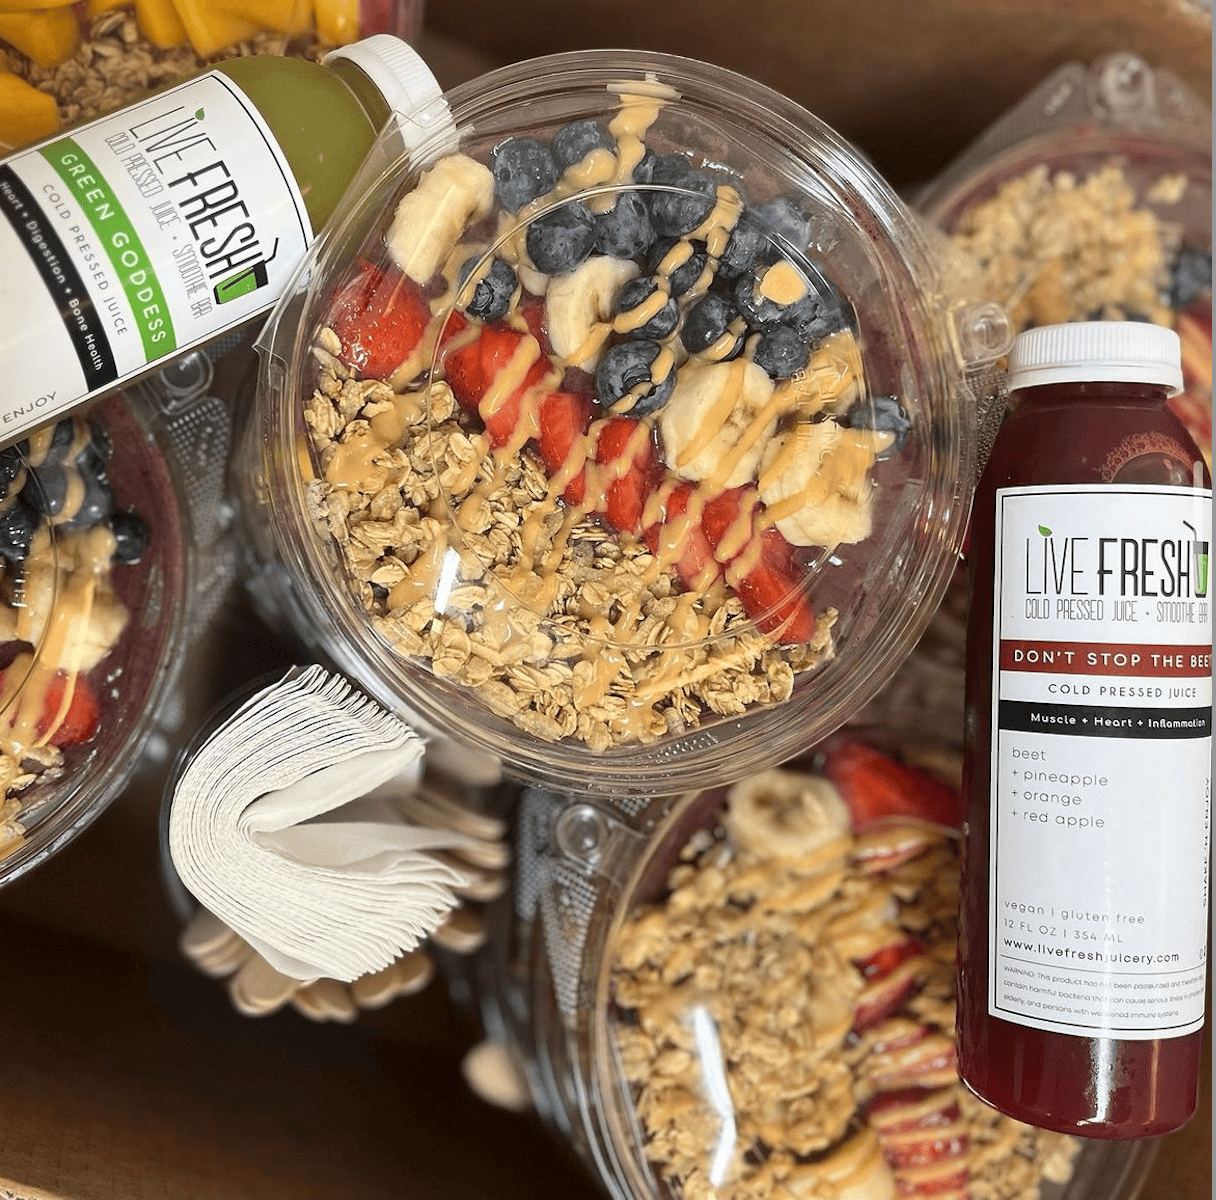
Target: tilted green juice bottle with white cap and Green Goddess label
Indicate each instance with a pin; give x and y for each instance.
(164, 226)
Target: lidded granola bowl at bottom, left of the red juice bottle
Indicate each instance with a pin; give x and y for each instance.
(750, 991)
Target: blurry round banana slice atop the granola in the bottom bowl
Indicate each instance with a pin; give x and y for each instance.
(785, 814)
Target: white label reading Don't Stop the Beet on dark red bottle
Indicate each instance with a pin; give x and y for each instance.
(1102, 713)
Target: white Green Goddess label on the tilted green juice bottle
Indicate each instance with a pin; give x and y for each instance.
(137, 238)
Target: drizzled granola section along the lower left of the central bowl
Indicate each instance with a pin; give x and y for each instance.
(464, 561)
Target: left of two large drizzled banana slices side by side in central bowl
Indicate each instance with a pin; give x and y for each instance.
(718, 421)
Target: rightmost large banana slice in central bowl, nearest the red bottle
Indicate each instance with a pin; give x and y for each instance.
(815, 483)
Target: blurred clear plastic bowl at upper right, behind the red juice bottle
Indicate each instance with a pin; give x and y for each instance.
(1138, 247)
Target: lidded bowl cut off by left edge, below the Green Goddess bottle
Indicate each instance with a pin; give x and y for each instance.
(94, 570)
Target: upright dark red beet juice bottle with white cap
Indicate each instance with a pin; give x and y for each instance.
(1084, 923)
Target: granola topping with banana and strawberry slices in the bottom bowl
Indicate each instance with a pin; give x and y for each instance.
(769, 1051)
